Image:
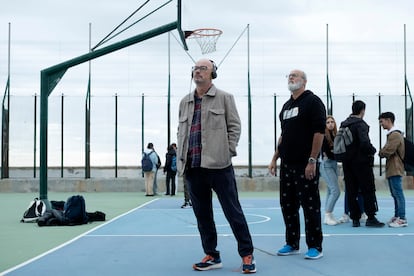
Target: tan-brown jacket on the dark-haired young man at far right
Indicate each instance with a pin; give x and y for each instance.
(392, 150)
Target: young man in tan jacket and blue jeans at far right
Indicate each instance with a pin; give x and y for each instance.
(393, 151)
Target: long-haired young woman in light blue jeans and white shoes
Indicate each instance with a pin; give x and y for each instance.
(329, 171)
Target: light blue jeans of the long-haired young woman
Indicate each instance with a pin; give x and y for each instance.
(329, 172)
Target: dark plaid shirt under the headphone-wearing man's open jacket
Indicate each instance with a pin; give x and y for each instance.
(194, 143)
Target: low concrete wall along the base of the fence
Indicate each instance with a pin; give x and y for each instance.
(130, 180)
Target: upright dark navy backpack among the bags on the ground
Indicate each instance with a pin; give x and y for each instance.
(74, 211)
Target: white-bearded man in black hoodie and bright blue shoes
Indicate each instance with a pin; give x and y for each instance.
(303, 122)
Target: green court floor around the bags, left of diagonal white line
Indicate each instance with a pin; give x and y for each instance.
(22, 241)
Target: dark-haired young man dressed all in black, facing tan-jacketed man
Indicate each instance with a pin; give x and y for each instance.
(358, 168)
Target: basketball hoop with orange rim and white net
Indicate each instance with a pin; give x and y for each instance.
(206, 38)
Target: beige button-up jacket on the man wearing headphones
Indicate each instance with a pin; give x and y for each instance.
(220, 129)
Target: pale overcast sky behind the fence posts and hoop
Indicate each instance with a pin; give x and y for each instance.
(262, 40)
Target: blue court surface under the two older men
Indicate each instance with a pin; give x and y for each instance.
(159, 238)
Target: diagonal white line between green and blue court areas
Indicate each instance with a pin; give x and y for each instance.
(74, 239)
